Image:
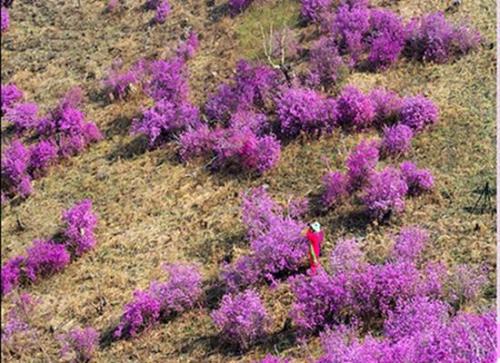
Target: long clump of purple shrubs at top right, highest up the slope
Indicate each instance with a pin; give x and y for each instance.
(377, 37)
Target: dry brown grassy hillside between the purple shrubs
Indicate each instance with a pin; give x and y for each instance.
(154, 209)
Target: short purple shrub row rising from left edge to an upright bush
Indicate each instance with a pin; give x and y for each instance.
(46, 257)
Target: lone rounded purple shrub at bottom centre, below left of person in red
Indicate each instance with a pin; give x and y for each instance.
(241, 319)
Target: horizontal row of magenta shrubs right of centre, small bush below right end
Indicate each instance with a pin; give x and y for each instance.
(304, 110)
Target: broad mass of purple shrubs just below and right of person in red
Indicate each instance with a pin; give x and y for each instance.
(370, 294)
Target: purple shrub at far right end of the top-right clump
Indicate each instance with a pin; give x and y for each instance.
(431, 38)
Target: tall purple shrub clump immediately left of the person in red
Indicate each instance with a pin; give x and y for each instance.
(276, 243)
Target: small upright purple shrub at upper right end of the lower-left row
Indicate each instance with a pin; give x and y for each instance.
(80, 224)
